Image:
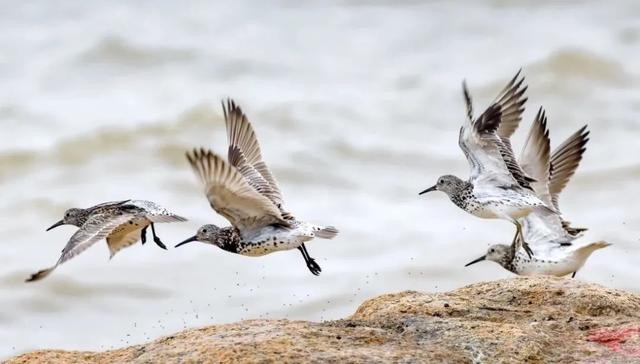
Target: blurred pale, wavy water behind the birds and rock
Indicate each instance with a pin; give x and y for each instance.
(357, 106)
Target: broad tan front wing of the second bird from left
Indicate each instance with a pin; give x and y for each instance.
(231, 195)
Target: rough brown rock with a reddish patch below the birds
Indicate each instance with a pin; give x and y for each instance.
(539, 320)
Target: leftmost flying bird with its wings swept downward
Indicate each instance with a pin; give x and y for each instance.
(121, 223)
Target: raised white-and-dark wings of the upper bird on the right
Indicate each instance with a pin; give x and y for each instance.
(490, 155)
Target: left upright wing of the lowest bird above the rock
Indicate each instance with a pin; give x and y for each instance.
(534, 158)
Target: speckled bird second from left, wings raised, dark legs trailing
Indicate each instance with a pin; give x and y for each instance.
(245, 192)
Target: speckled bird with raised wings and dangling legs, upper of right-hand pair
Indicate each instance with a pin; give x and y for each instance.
(497, 187)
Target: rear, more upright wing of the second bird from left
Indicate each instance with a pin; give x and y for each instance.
(244, 153)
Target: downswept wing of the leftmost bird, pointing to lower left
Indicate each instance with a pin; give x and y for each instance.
(96, 228)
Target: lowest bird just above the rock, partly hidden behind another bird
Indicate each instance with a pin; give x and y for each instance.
(551, 238)
